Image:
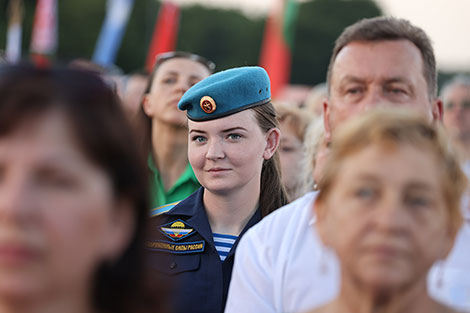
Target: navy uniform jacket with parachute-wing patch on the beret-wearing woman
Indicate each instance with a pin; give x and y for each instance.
(199, 278)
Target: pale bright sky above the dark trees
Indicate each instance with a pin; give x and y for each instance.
(447, 22)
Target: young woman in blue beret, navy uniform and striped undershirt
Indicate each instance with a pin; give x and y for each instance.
(233, 137)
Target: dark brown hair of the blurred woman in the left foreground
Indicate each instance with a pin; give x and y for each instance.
(95, 117)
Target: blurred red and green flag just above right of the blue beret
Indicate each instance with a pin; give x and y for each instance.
(276, 49)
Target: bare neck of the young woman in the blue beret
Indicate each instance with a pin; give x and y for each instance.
(229, 212)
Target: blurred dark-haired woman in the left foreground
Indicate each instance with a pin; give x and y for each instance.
(73, 197)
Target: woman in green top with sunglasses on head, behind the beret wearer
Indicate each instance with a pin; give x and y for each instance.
(164, 126)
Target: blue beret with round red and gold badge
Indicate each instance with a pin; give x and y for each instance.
(226, 93)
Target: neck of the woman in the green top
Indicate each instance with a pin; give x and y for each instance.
(169, 151)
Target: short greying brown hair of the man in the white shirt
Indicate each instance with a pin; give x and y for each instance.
(389, 28)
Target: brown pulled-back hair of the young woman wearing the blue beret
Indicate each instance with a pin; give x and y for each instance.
(272, 192)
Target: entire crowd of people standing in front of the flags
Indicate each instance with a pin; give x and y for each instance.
(190, 189)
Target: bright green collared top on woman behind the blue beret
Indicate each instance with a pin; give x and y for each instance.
(186, 184)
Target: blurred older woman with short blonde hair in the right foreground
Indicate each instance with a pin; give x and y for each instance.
(393, 188)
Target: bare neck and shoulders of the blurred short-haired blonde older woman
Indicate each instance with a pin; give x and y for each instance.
(411, 299)
